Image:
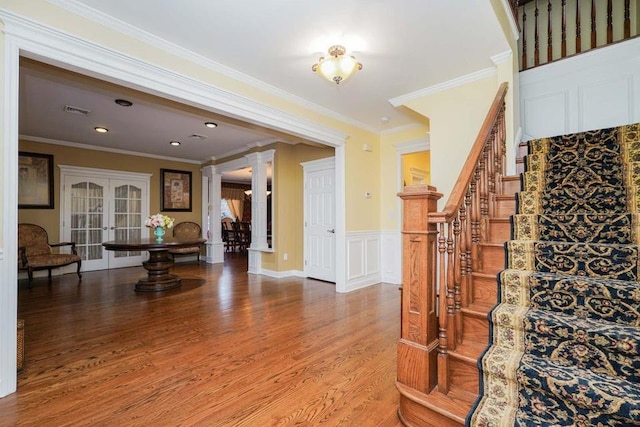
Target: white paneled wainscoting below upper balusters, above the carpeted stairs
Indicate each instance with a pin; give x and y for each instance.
(594, 90)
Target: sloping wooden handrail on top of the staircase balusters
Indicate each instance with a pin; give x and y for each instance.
(462, 184)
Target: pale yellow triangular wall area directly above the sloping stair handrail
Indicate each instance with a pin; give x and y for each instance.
(456, 116)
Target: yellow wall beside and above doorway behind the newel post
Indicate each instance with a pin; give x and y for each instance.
(390, 183)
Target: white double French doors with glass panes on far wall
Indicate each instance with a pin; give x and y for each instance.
(99, 207)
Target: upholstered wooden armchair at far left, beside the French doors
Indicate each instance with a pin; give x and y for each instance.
(36, 253)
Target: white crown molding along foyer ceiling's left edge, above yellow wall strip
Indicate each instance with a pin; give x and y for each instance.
(109, 21)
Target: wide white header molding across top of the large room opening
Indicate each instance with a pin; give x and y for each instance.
(90, 58)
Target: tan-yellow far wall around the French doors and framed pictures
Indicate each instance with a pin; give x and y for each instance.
(70, 156)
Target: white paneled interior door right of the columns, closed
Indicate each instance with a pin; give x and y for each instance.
(320, 238)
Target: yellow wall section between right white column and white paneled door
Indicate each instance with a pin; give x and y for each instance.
(288, 206)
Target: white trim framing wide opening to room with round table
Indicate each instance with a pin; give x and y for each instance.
(60, 46)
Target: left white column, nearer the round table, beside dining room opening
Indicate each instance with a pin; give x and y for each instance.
(211, 229)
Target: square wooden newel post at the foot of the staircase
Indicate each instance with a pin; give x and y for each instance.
(418, 345)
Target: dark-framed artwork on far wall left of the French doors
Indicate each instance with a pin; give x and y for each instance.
(35, 181)
